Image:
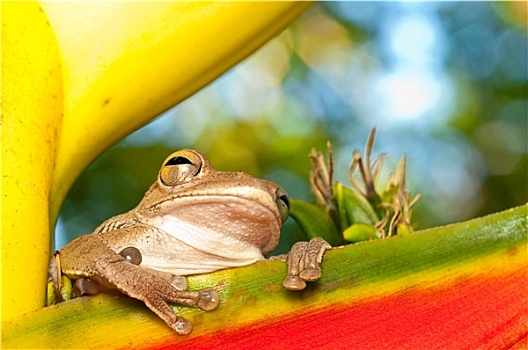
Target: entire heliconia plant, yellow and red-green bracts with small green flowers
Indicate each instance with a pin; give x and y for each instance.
(72, 87)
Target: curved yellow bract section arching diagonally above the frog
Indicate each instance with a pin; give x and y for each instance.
(125, 63)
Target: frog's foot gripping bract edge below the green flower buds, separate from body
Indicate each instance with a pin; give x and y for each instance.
(304, 263)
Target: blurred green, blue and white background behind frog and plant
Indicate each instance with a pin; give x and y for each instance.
(445, 83)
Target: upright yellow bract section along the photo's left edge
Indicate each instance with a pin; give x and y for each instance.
(32, 100)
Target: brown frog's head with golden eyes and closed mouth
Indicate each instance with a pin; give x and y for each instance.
(236, 204)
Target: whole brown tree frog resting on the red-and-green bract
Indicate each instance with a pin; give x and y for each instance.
(193, 219)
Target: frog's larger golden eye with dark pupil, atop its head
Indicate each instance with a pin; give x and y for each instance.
(179, 167)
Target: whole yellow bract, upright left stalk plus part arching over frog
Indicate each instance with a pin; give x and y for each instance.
(77, 77)
